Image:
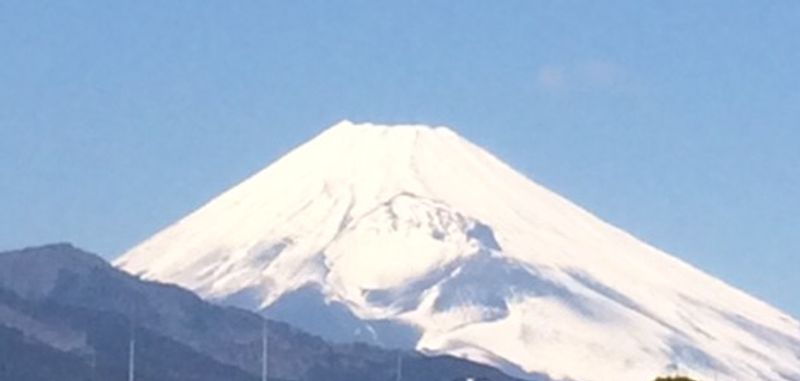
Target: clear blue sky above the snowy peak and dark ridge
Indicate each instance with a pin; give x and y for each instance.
(678, 121)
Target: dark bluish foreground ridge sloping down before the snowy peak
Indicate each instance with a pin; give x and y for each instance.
(66, 314)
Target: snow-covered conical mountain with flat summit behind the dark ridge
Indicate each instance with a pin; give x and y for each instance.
(423, 239)
